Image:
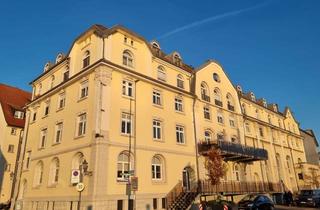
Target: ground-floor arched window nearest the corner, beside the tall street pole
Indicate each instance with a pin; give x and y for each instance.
(123, 166)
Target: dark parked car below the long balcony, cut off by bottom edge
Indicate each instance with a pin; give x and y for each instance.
(256, 202)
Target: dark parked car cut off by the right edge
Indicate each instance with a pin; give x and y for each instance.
(308, 198)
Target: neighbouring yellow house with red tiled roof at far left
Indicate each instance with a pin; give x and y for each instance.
(12, 117)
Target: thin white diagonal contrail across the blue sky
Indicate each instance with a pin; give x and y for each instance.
(213, 18)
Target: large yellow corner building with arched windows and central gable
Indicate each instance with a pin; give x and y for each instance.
(116, 110)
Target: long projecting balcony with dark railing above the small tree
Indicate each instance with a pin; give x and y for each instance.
(234, 152)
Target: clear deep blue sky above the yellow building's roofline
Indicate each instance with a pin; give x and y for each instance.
(268, 46)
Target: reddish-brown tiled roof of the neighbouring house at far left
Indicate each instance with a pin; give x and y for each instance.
(12, 99)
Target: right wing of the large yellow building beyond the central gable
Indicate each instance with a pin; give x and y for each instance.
(278, 133)
